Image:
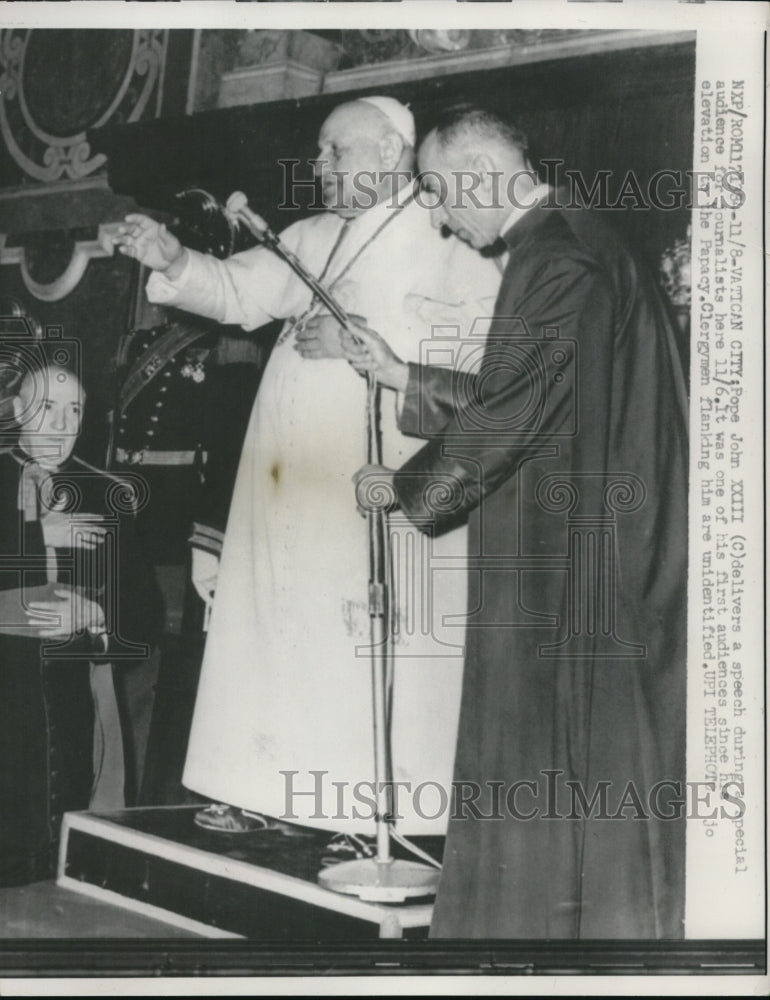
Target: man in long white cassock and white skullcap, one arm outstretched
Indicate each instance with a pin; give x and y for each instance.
(284, 706)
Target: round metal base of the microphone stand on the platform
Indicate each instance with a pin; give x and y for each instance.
(381, 881)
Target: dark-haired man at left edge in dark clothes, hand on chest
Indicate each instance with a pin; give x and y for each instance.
(74, 599)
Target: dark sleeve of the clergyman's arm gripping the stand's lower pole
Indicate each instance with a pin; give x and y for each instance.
(478, 448)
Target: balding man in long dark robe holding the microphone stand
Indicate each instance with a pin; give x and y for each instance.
(567, 451)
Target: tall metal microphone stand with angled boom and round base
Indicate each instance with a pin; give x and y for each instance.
(381, 878)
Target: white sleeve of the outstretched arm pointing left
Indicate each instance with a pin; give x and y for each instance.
(248, 289)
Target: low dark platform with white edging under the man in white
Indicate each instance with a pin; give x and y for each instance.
(261, 885)
